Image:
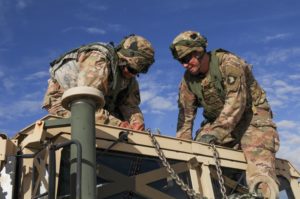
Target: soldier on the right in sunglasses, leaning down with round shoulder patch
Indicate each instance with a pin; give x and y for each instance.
(235, 109)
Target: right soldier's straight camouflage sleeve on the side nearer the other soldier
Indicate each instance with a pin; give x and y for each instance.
(187, 104)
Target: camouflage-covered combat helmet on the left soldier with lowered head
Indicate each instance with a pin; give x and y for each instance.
(137, 51)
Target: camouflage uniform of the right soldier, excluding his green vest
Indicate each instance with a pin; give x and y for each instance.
(244, 118)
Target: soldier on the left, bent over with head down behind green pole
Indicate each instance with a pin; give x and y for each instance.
(110, 69)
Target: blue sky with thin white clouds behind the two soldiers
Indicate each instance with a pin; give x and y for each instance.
(264, 32)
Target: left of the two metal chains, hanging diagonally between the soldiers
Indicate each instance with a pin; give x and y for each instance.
(190, 192)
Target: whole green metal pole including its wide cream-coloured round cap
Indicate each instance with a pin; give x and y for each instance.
(83, 102)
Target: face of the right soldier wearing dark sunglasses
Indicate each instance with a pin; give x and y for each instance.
(192, 63)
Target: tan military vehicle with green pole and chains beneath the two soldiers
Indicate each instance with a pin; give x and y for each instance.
(75, 157)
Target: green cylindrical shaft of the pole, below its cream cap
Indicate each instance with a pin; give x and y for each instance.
(83, 130)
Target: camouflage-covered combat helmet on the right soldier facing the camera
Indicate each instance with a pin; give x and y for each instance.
(187, 42)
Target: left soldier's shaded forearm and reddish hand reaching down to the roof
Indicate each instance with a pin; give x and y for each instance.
(129, 107)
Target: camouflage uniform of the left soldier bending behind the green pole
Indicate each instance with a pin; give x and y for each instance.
(93, 67)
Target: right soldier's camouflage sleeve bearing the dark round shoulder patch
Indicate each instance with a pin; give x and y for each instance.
(235, 98)
